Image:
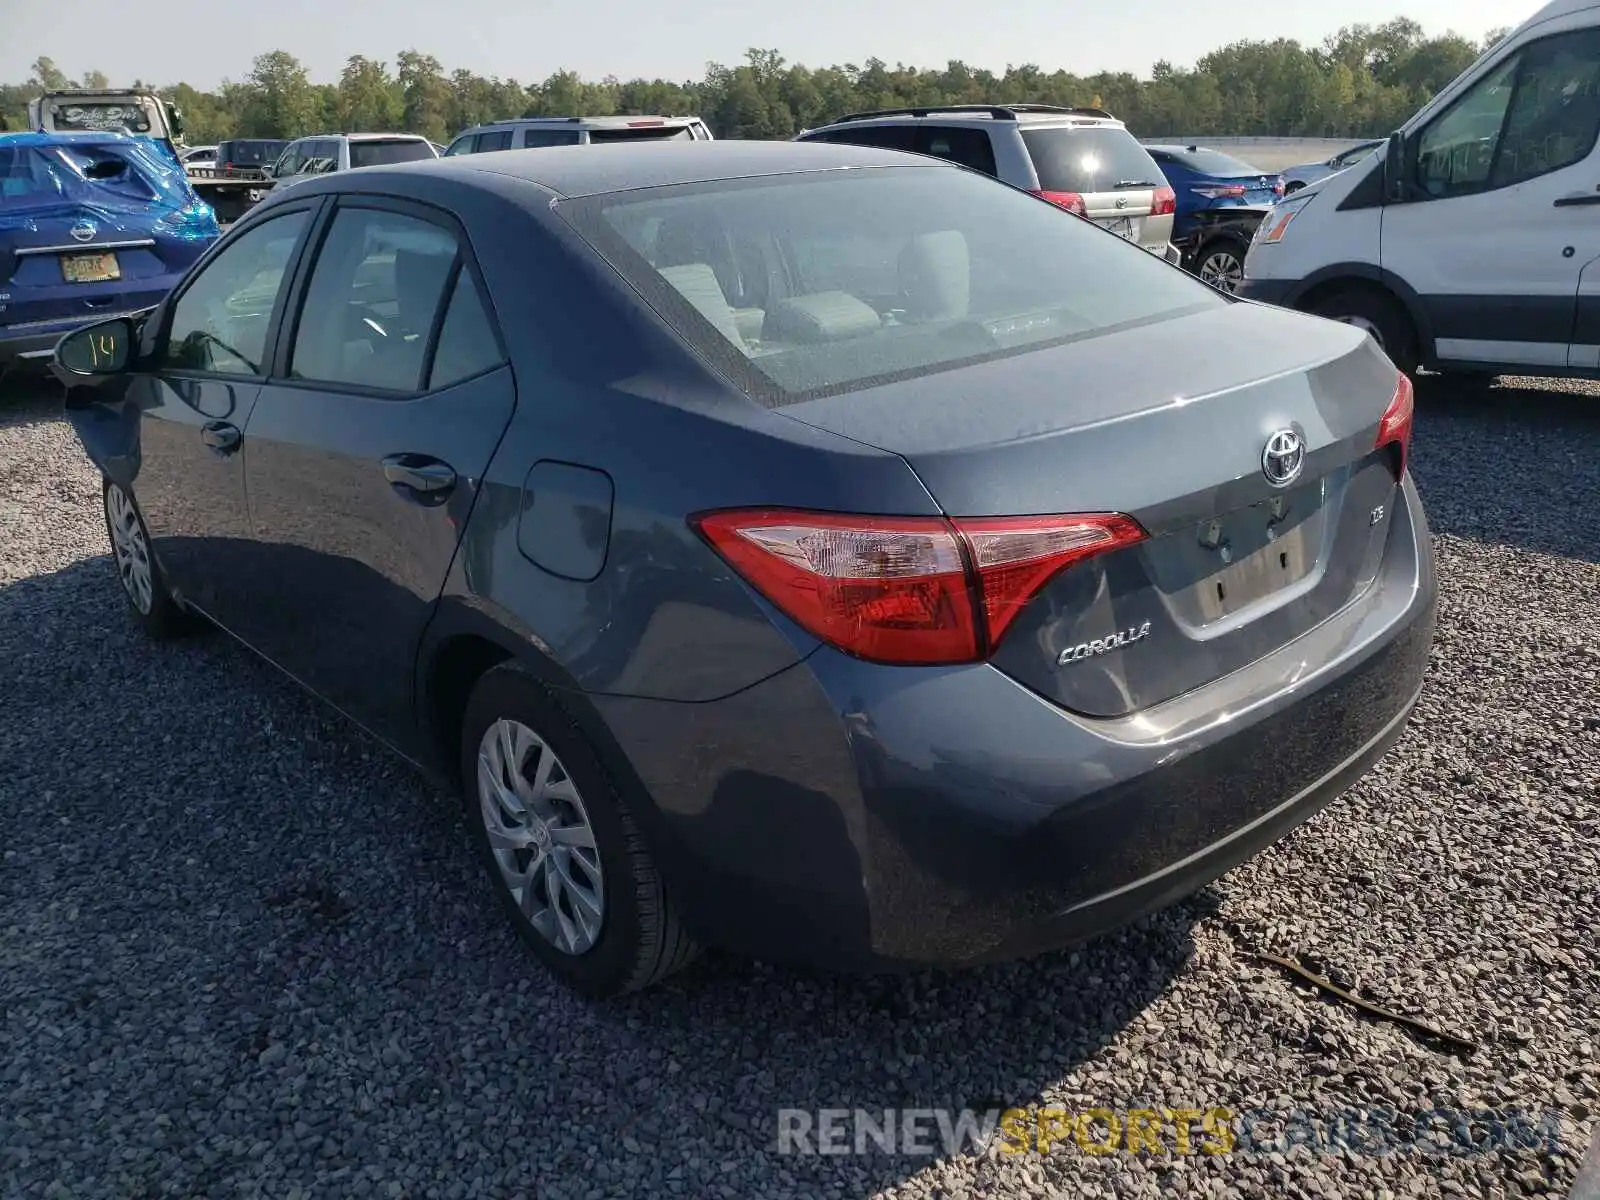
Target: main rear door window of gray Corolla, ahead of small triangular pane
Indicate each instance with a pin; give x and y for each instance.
(374, 300)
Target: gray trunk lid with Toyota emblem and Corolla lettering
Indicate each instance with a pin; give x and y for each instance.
(1236, 566)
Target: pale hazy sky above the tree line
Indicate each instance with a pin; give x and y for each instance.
(202, 42)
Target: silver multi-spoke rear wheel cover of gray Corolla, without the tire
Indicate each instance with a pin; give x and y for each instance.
(542, 838)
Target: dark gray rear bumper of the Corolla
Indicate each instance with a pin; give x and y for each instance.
(860, 817)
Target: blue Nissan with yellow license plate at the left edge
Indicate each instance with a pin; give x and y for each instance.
(90, 225)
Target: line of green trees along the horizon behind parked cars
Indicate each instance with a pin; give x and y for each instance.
(1361, 82)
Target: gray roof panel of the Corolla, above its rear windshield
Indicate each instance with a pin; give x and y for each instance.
(618, 167)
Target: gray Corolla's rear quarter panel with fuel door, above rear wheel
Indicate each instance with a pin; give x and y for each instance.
(604, 386)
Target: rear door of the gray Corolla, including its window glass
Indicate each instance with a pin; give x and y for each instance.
(367, 449)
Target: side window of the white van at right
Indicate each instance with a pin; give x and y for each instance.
(1537, 113)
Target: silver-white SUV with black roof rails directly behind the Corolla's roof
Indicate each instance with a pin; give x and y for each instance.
(1081, 159)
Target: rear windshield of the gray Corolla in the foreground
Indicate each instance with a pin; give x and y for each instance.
(828, 282)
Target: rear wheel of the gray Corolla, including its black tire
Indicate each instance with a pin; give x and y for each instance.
(561, 842)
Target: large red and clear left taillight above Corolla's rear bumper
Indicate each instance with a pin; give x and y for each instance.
(910, 591)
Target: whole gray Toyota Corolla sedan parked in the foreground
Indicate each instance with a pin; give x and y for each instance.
(806, 550)
